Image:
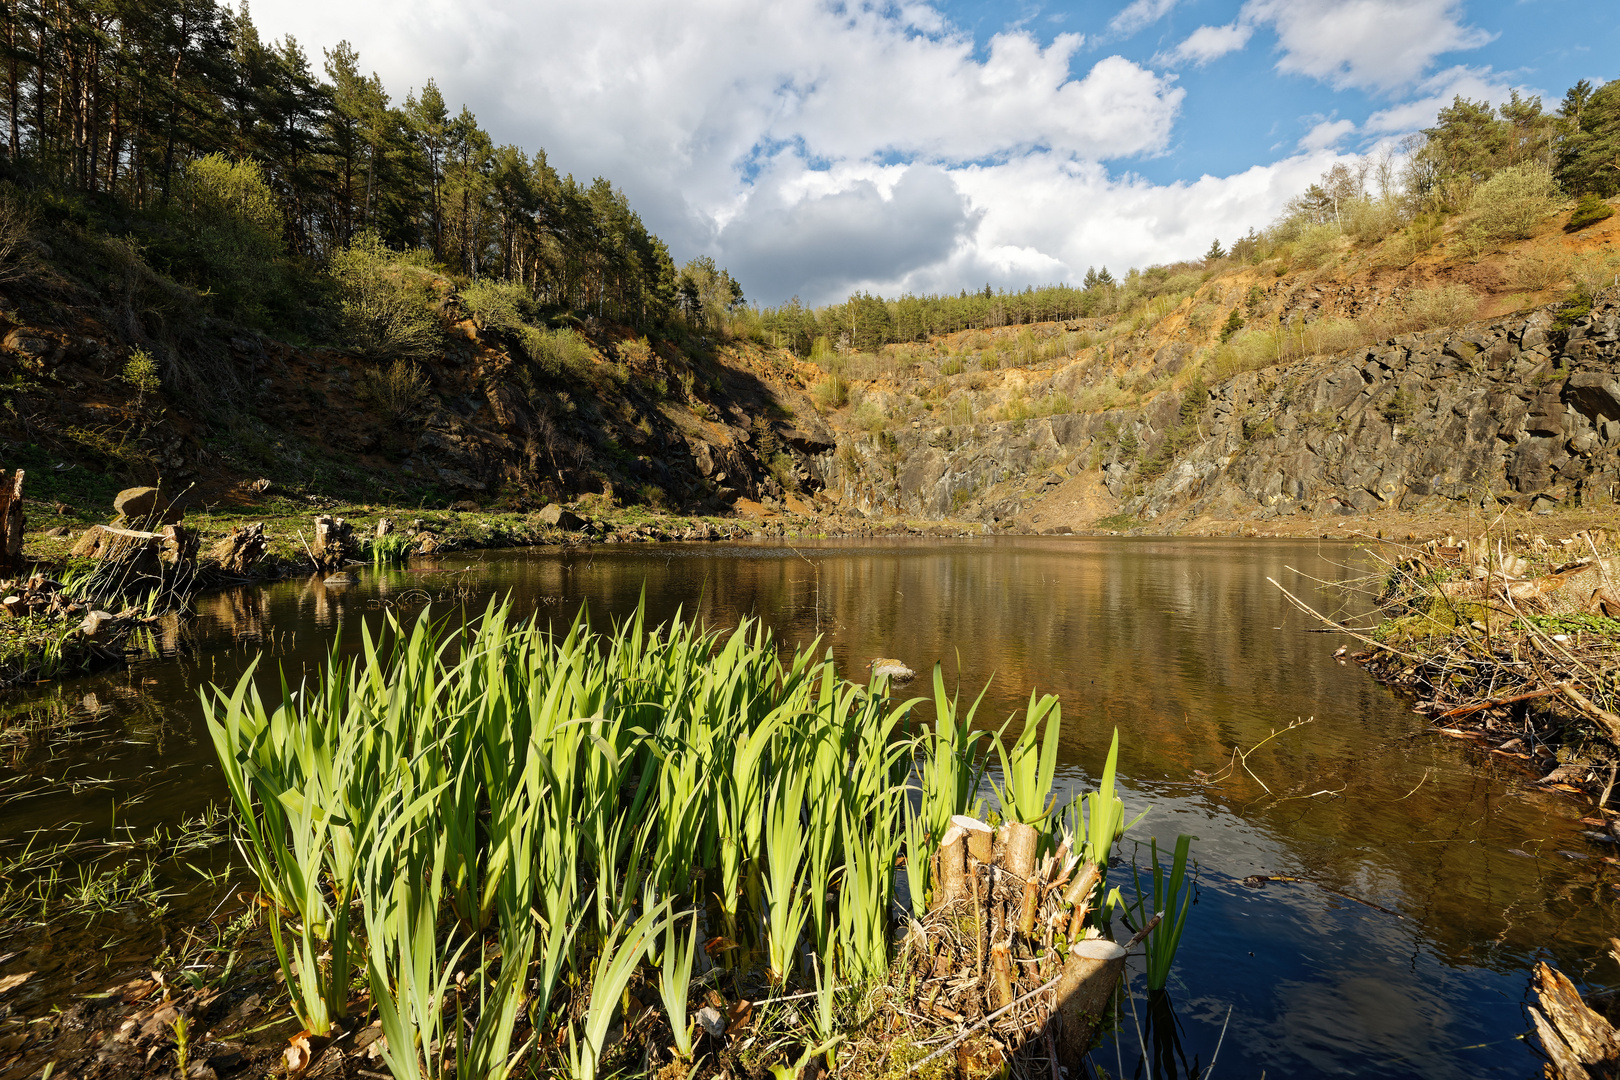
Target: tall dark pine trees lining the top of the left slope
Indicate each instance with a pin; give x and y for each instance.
(121, 100)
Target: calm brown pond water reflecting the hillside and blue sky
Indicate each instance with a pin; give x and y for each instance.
(1431, 882)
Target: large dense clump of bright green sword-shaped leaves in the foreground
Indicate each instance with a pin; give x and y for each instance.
(493, 822)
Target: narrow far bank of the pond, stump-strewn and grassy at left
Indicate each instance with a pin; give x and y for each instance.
(54, 645)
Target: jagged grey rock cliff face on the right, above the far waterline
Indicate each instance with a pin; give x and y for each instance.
(1514, 412)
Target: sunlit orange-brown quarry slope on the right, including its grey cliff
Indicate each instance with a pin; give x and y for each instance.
(1360, 394)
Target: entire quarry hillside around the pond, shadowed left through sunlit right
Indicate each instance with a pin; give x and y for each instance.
(1360, 394)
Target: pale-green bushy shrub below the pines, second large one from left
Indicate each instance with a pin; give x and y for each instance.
(386, 302)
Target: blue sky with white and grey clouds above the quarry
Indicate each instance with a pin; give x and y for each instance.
(819, 148)
